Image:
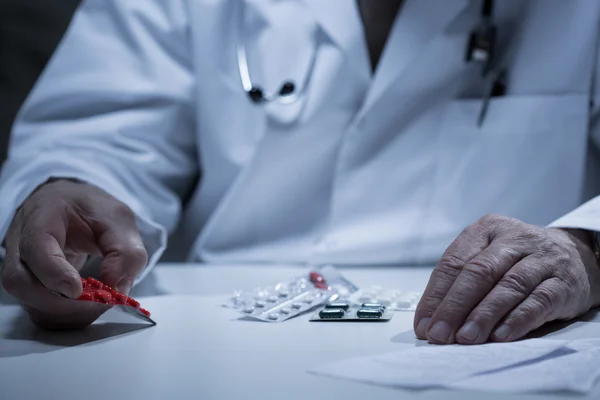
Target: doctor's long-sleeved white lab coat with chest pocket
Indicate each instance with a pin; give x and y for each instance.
(142, 95)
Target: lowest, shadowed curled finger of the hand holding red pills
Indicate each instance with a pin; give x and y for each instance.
(46, 309)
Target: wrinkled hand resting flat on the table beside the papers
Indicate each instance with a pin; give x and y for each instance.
(502, 278)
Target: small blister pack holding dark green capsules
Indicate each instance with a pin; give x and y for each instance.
(340, 311)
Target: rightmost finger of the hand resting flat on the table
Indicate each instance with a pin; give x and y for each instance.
(541, 306)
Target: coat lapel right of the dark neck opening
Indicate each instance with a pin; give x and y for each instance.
(418, 22)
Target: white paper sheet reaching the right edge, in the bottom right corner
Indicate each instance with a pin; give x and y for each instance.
(576, 372)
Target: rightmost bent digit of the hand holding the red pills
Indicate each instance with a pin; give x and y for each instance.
(121, 246)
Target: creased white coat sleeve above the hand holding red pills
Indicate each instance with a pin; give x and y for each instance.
(114, 107)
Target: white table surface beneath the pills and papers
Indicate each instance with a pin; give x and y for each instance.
(199, 350)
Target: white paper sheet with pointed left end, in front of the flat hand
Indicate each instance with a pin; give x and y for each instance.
(435, 366)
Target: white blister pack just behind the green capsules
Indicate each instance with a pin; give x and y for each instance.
(393, 300)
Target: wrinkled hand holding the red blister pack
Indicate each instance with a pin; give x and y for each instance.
(50, 239)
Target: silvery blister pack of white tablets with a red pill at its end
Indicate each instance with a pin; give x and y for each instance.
(285, 300)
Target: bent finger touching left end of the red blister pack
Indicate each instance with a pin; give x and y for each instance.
(41, 251)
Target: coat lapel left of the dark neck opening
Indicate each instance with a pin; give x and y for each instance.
(340, 20)
